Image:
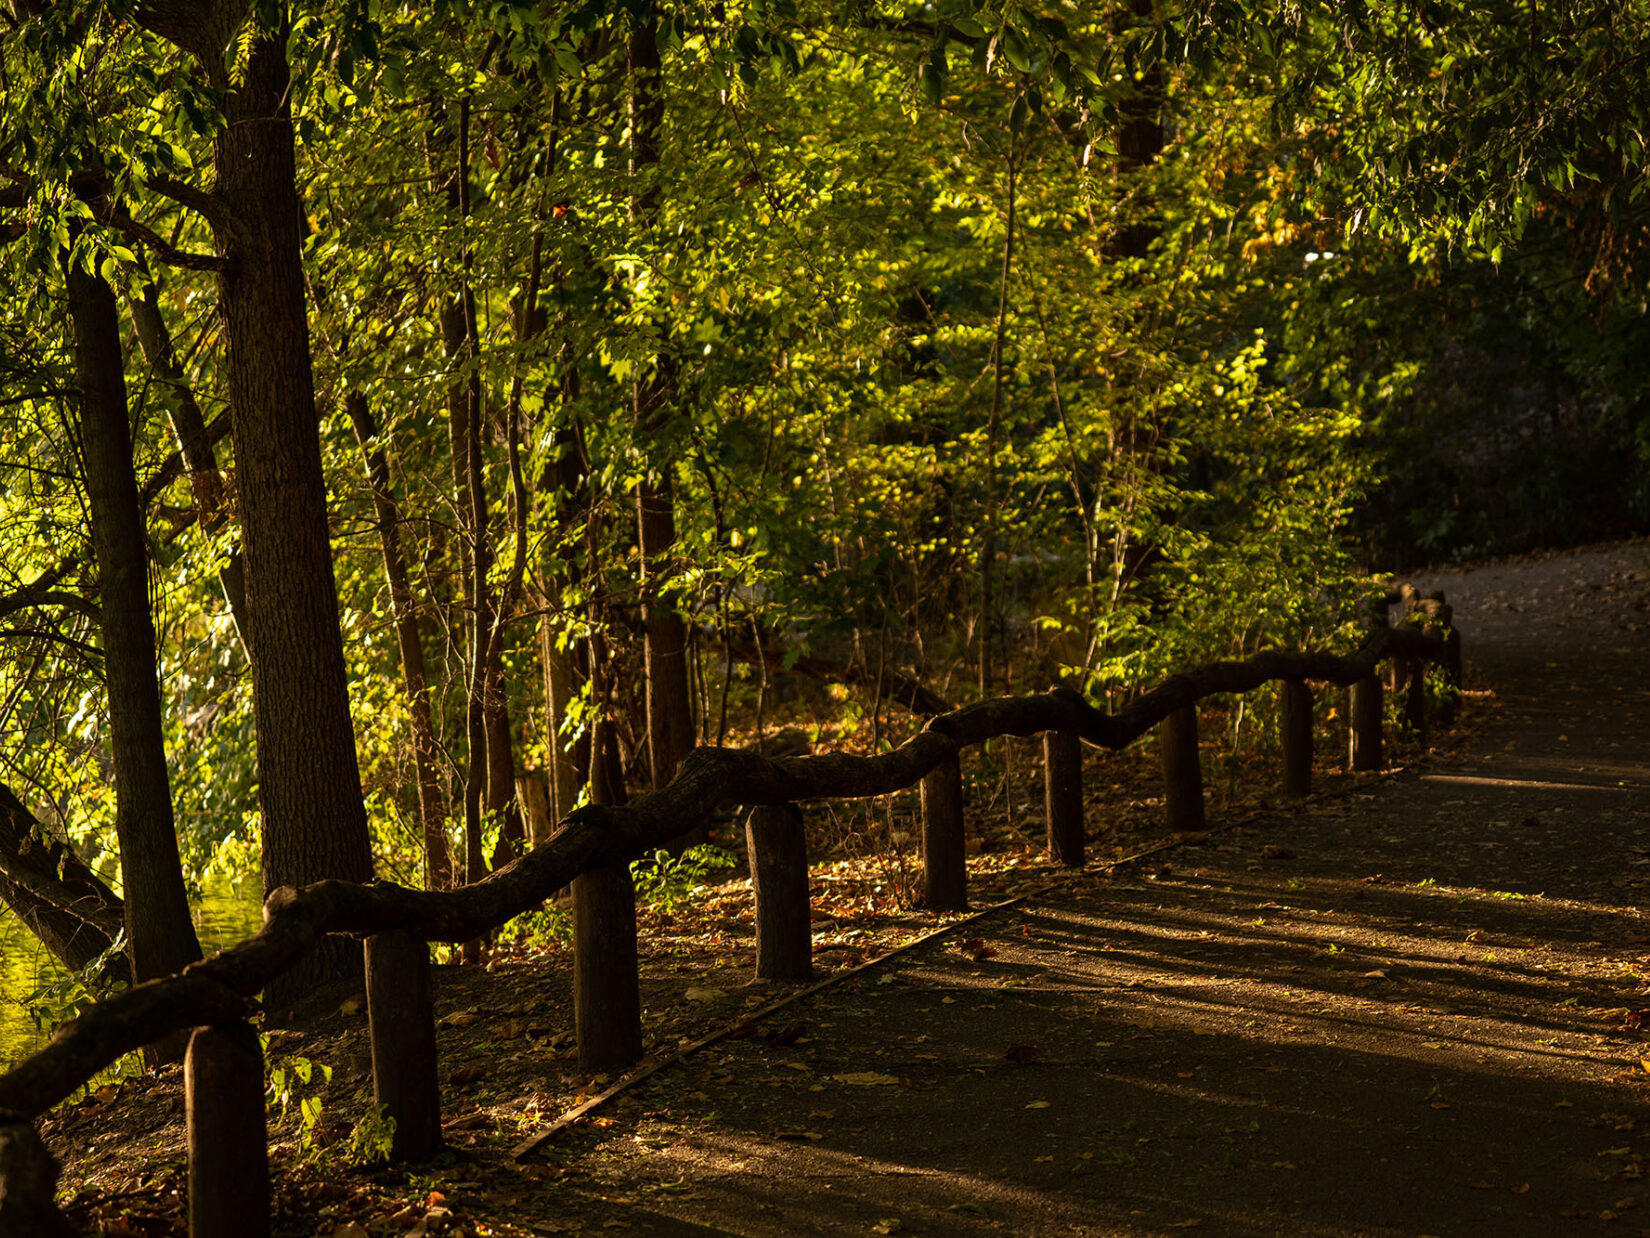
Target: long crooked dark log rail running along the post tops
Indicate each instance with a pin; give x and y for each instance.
(598, 841)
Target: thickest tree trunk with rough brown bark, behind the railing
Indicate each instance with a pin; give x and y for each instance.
(309, 785)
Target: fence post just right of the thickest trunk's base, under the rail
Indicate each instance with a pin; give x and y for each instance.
(402, 1018)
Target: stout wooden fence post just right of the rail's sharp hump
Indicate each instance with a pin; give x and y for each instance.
(606, 1001)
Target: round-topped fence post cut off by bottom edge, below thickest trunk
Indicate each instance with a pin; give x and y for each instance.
(224, 1095)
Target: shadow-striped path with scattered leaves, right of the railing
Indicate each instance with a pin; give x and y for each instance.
(1413, 1011)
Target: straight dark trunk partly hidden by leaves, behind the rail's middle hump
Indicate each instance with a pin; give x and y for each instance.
(666, 641)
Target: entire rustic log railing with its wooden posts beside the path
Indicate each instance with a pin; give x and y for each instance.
(592, 851)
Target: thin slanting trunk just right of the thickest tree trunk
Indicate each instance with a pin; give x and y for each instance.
(410, 640)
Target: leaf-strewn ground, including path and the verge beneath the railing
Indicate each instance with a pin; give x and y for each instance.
(1415, 1004)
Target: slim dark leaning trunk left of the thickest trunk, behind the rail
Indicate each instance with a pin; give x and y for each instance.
(161, 935)
